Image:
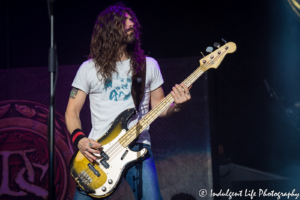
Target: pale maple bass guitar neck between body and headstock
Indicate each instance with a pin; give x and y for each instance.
(137, 129)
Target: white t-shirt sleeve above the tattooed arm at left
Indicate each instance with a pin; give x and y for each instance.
(80, 80)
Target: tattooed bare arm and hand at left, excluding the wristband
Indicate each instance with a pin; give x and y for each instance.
(86, 146)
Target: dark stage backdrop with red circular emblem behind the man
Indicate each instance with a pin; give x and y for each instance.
(181, 143)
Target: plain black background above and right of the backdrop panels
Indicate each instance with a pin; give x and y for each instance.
(253, 127)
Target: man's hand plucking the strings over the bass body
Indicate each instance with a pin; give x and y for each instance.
(88, 146)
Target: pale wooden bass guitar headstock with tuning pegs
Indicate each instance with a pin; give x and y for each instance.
(214, 59)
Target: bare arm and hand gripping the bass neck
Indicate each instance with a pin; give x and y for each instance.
(180, 95)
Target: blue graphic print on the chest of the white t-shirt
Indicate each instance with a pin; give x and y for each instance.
(119, 88)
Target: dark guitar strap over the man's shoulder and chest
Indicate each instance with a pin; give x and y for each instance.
(138, 87)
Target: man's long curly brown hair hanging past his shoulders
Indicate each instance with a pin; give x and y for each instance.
(109, 38)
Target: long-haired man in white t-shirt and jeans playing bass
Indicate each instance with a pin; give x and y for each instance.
(115, 57)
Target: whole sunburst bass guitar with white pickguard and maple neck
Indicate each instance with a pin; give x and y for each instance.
(101, 178)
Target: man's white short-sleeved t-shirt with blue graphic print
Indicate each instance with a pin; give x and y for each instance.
(108, 100)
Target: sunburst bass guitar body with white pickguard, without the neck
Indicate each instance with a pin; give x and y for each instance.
(100, 178)
